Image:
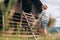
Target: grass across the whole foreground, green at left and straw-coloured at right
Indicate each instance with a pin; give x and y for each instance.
(49, 37)
